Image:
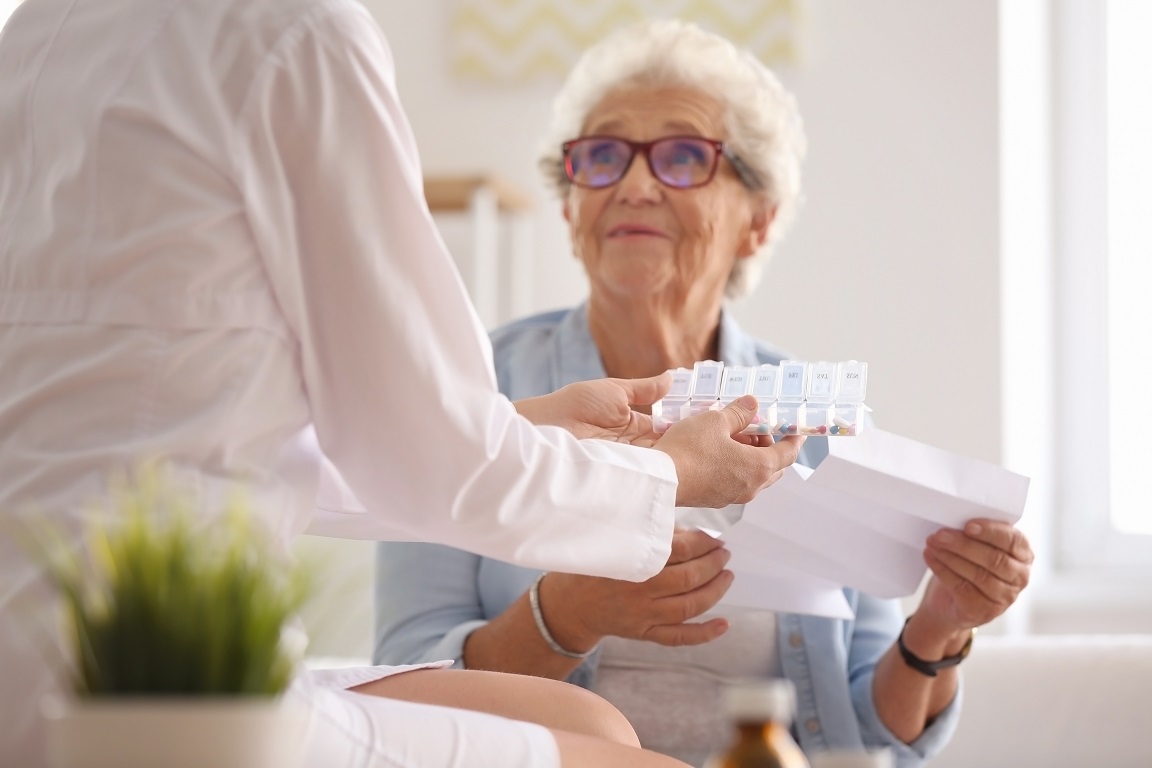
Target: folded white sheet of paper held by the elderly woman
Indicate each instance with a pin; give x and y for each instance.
(862, 518)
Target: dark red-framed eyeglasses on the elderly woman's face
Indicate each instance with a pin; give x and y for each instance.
(679, 162)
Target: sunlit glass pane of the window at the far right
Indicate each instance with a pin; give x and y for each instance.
(1130, 262)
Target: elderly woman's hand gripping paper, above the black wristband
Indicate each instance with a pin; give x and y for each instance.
(979, 573)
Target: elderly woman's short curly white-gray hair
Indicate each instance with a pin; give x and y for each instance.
(763, 124)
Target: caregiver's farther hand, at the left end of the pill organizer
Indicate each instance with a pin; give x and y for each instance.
(602, 408)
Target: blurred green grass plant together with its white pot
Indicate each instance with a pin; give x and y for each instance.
(177, 627)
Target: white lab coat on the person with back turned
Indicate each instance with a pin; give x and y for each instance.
(213, 238)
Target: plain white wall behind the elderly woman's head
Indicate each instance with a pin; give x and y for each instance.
(895, 260)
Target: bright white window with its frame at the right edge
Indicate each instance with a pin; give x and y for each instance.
(1103, 166)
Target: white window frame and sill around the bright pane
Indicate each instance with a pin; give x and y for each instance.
(1087, 539)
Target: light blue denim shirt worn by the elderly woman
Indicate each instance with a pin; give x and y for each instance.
(430, 598)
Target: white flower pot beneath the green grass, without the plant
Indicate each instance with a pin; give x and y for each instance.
(173, 733)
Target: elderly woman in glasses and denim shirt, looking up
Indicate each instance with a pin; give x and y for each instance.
(678, 161)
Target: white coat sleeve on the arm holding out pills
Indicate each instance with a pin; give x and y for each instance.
(395, 361)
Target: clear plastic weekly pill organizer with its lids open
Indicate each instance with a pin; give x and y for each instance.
(794, 398)
